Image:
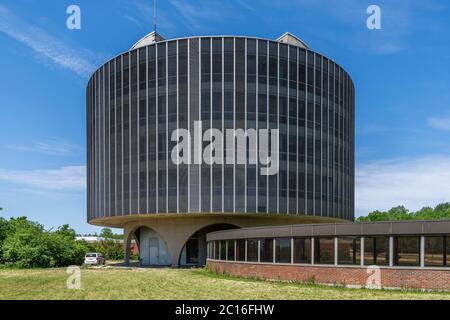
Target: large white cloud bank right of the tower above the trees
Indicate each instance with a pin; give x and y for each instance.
(414, 183)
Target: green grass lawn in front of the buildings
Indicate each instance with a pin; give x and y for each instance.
(111, 283)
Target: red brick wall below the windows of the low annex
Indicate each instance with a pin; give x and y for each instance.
(411, 278)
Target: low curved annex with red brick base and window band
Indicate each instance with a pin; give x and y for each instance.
(413, 254)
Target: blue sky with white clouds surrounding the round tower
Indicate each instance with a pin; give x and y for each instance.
(401, 73)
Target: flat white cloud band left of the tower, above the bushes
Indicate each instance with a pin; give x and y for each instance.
(69, 178)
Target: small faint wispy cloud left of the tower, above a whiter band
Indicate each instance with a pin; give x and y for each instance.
(55, 147)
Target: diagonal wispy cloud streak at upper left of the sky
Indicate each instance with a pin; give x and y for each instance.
(44, 45)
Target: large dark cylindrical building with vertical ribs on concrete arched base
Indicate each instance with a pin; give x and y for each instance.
(136, 101)
